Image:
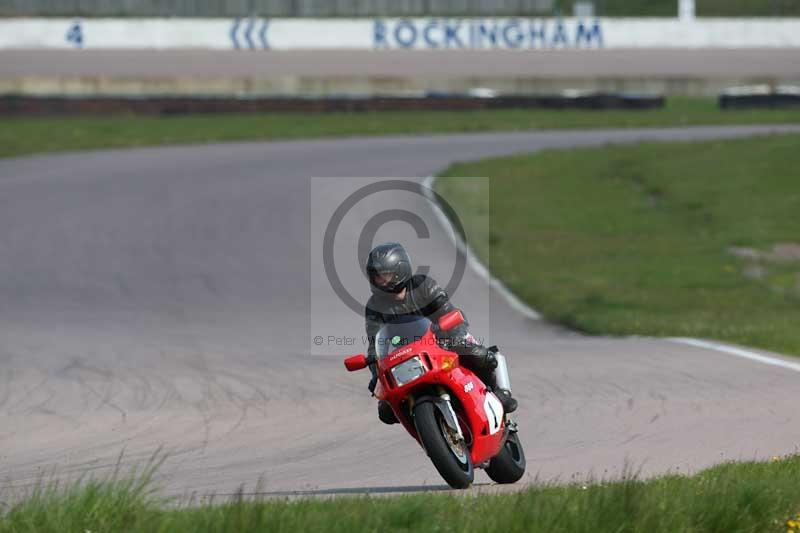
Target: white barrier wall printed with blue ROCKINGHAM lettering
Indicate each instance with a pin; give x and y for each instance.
(416, 33)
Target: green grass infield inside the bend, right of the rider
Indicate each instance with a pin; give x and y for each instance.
(637, 239)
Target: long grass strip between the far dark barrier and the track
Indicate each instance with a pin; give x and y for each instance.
(21, 136)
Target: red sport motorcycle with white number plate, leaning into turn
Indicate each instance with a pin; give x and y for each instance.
(457, 420)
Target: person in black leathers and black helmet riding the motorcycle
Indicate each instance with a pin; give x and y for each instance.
(397, 292)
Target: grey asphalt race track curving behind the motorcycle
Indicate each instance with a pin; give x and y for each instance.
(168, 297)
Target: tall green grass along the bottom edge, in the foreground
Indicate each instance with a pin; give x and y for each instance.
(732, 497)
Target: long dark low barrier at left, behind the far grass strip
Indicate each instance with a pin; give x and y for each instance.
(14, 105)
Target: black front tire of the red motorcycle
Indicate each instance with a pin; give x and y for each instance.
(458, 473)
